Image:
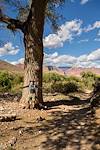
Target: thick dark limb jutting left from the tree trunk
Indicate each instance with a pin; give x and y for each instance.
(12, 24)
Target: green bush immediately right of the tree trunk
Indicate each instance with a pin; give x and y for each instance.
(54, 82)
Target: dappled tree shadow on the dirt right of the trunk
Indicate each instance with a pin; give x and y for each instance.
(72, 130)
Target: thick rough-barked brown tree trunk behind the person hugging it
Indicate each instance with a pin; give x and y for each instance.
(33, 36)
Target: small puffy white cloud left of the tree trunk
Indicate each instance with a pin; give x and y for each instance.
(8, 49)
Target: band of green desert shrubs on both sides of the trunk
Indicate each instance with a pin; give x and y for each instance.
(52, 82)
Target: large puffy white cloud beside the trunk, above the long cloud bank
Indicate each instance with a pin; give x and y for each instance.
(66, 32)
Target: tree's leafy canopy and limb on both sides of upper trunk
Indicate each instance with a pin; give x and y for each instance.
(20, 10)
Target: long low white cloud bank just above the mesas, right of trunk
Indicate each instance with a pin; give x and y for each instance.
(86, 60)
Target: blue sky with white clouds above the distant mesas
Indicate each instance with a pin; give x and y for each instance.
(75, 44)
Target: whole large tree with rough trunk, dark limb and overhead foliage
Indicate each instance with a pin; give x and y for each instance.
(30, 21)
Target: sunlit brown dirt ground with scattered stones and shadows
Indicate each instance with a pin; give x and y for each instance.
(67, 125)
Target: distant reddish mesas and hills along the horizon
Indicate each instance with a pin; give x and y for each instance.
(19, 68)
